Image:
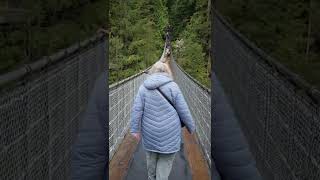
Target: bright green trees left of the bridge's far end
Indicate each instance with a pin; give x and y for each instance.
(137, 25)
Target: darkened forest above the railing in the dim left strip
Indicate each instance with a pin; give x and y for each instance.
(31, 29)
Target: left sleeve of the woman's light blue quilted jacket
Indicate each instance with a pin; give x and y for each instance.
(137, 112)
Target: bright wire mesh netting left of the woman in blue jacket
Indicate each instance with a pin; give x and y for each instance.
(121, 96)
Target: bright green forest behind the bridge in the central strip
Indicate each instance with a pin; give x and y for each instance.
(137, 36)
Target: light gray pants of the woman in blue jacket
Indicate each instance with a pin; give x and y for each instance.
(159, 165)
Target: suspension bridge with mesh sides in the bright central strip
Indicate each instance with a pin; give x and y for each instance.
(193, 161)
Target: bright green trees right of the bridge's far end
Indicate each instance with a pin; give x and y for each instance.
(193, 53)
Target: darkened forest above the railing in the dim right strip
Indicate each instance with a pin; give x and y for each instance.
(287, 30)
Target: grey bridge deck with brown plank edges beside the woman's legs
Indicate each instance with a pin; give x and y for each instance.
(129, 162)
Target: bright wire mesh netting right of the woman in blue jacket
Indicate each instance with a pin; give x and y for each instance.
(199, 101)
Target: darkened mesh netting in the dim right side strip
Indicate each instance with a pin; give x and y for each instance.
(280, 121)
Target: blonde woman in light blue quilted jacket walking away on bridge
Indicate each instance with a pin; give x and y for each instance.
(159, 107)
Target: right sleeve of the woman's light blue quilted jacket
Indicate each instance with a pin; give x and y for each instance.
(184, 112)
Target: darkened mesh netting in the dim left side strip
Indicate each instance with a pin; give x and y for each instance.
(40, 115)
